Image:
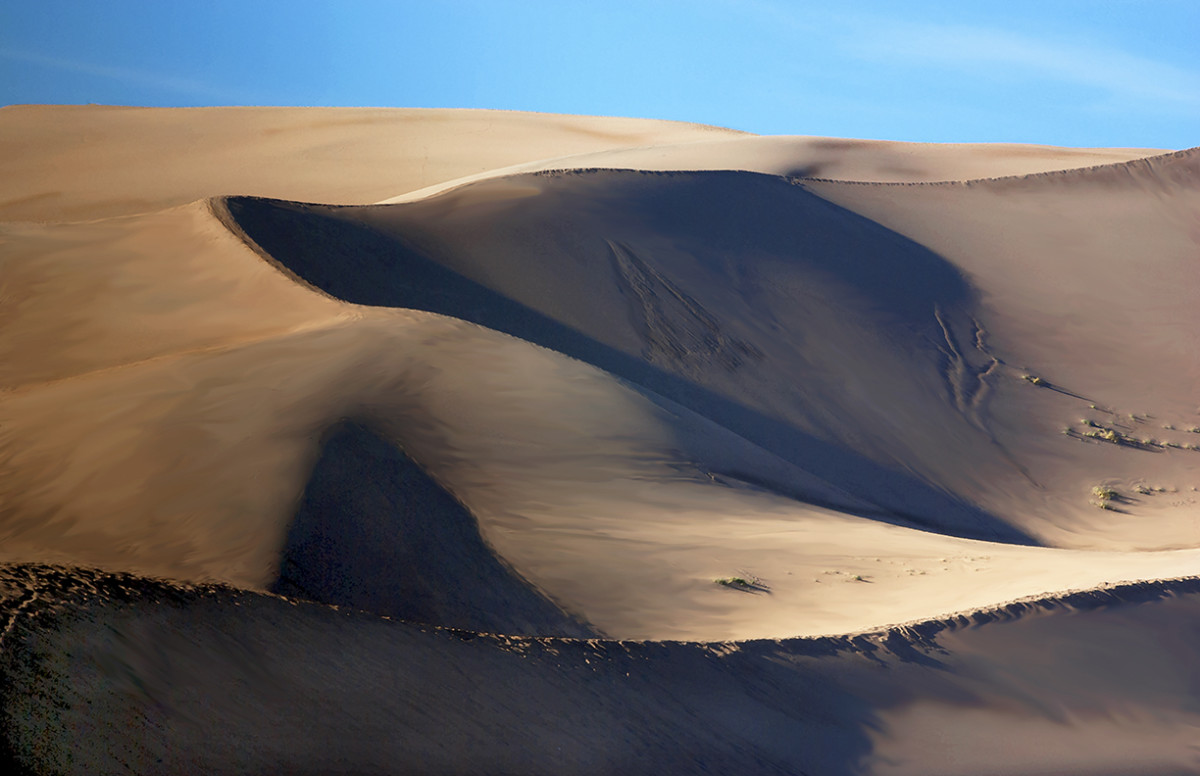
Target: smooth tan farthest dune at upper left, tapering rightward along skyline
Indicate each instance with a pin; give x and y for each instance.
(80, 163)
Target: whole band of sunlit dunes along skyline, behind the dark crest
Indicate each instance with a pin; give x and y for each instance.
(81, 163)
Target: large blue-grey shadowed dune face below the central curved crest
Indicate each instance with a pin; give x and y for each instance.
(813, 333)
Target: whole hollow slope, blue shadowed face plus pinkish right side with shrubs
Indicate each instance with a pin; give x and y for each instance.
(961, 363)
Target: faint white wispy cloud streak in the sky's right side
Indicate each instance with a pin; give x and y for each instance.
(1113, 73)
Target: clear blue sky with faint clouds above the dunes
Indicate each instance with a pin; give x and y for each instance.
(1118, 73)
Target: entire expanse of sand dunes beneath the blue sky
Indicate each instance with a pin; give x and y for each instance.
(593, 446)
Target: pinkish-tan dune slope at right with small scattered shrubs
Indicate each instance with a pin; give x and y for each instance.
(1090, 281)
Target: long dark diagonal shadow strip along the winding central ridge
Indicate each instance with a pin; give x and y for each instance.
(328, 249)
